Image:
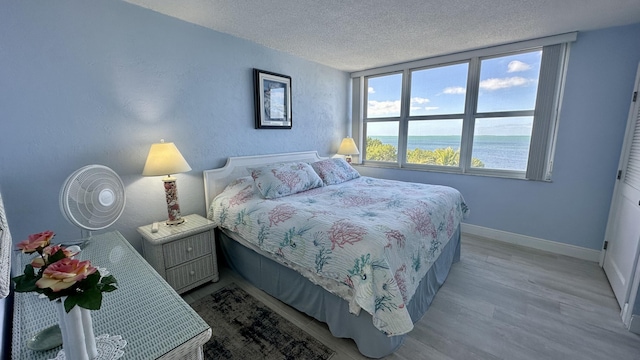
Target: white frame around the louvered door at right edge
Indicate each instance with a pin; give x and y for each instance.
(627, 310)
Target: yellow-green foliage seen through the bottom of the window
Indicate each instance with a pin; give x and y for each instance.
(378, 151)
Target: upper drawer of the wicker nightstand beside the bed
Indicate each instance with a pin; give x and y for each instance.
(189, 248)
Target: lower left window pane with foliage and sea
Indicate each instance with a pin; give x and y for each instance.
(382, 141)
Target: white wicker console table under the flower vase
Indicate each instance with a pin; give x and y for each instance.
(145, 310)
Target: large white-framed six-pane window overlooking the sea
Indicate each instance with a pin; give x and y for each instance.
(487, 112)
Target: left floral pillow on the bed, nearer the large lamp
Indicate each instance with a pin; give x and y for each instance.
(274, 181)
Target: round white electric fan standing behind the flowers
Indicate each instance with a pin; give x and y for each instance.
(92, 198)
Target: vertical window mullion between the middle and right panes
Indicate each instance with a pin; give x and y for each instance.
(468, 123)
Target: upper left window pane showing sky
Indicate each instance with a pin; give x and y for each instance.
(383, 96)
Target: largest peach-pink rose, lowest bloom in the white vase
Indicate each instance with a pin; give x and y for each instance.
(65, 273)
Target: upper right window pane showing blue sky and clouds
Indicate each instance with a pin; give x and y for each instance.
(509, 83)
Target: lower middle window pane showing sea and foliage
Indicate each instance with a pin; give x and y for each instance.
(434, 142)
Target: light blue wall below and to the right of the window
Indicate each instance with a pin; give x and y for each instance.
(573, 209)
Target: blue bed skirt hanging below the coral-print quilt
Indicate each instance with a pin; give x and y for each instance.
(294, 289)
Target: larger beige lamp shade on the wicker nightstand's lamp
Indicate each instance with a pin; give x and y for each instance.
(164, 159)
